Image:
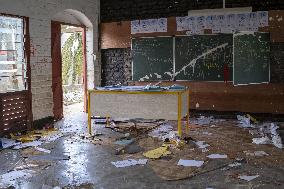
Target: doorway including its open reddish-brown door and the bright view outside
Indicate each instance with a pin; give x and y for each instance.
(68, 69)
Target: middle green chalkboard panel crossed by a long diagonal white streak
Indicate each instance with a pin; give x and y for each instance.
(204, 57)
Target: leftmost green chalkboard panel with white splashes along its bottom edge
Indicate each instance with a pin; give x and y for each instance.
(152, 58)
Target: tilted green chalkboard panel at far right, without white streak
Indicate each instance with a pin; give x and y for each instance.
(251, 58)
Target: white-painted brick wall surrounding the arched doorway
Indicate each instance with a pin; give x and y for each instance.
(41, 12)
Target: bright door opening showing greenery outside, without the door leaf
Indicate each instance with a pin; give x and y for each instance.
(72, 69)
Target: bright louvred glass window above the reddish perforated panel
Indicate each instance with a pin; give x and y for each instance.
(13, 67)
